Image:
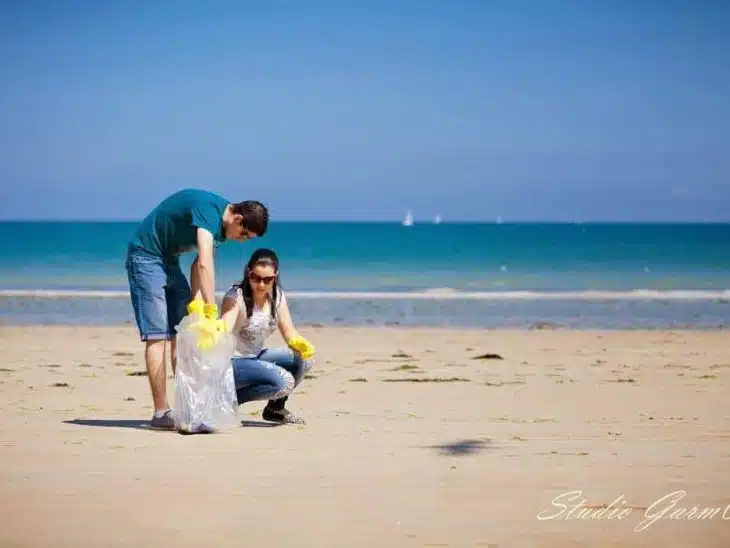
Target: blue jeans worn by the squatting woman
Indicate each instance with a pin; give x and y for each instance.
(272, 375)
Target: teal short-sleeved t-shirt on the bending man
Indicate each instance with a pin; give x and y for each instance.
(171, 228)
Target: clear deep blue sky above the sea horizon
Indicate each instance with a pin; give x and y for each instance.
(362, 109)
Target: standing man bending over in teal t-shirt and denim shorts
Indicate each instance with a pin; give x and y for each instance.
(187, 220)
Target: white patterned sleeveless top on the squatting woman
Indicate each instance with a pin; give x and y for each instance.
(251, 333)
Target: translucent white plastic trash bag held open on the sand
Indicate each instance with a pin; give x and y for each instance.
(205, 391)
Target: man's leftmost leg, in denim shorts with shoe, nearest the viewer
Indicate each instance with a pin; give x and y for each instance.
(147, 282)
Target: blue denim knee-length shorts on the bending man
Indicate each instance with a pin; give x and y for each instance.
(160, 294)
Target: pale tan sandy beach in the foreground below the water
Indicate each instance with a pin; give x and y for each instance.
(471, 460)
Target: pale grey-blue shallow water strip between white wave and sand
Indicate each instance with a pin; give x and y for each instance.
(522, 313)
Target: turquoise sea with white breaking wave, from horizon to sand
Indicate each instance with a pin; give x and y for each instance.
(451, 274)
